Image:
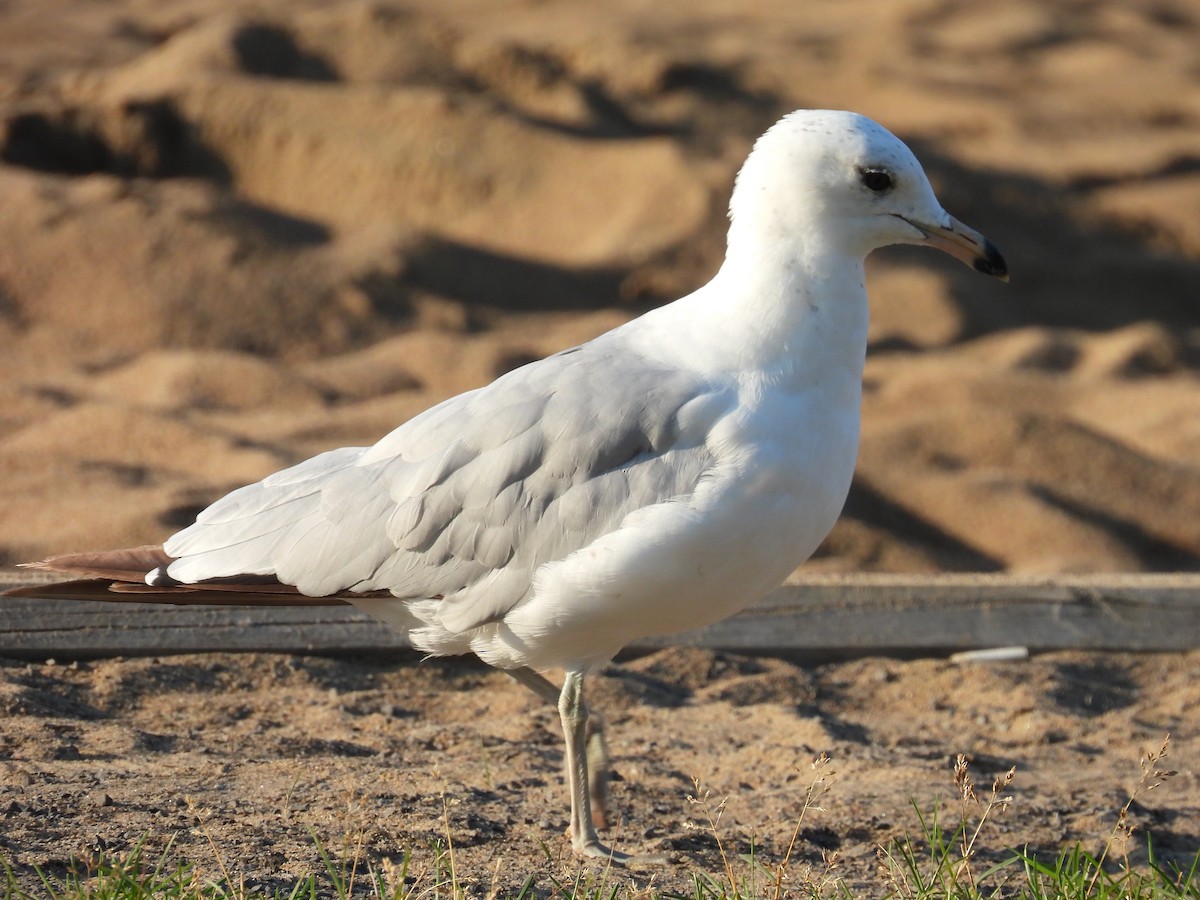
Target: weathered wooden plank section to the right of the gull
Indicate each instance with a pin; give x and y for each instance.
(866, 615)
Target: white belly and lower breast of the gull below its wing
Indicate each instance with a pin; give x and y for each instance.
(687, 563)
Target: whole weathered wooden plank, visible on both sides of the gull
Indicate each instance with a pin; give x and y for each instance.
(812, 617)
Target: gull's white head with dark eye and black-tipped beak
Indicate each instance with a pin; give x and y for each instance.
(839, 182)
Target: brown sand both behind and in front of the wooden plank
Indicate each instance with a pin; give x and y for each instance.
(236, 235)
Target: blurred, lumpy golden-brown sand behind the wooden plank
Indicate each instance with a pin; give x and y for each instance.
(235, 238)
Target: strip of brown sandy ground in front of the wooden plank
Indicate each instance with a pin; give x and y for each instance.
(261, 755)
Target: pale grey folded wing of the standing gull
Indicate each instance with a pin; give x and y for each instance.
(466, 501)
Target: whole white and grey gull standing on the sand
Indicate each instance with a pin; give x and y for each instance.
(653, 481)
